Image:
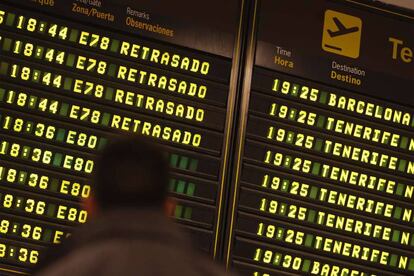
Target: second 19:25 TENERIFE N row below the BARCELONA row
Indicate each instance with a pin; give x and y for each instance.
(328, 146)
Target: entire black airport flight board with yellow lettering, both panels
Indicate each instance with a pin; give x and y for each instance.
(288, 125)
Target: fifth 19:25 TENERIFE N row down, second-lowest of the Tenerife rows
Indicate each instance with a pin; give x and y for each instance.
(326, 218)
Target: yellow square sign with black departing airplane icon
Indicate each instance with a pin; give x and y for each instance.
(341, 34)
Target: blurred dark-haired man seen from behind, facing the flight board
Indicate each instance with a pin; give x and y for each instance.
(129, 233)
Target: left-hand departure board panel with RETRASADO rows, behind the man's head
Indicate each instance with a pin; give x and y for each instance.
(76, 74)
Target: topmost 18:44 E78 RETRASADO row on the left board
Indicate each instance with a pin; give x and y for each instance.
(117, 45)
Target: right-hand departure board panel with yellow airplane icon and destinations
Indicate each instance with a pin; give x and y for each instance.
(324, 183)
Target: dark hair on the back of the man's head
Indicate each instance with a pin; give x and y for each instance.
(132, 172)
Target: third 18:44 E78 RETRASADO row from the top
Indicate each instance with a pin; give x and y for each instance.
(143, 101)
